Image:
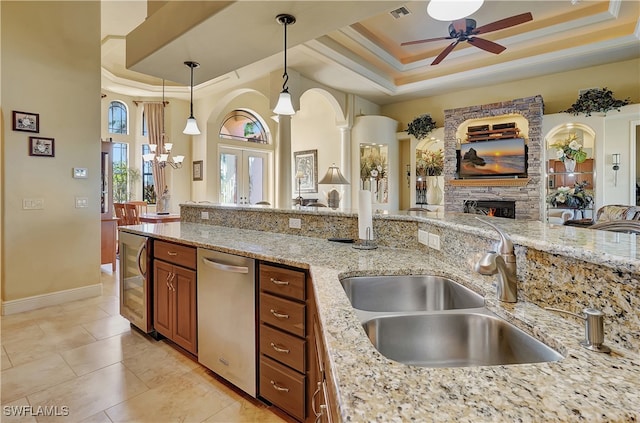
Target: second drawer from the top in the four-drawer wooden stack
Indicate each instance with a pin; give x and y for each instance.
(284, 314)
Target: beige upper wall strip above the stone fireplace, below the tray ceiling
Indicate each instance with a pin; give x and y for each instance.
(558, 90)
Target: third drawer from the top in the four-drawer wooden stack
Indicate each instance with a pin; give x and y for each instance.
(283, 347)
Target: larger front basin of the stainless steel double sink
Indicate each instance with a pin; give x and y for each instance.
(457, 339)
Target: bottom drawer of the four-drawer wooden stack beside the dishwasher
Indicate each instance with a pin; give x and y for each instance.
(283, 387)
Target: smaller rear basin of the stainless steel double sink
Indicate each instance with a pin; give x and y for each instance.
(408, 293)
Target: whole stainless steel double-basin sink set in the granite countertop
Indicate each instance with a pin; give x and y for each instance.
(432, 321)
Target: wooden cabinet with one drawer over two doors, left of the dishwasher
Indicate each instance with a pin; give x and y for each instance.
(174, 282)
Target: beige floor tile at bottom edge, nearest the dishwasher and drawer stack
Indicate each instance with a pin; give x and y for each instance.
(187, 400)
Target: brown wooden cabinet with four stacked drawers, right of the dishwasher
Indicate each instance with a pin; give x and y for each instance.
(286, 353)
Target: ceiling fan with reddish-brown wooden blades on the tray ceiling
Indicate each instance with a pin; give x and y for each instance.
(465, 30)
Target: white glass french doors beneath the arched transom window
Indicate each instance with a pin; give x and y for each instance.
(244, 176)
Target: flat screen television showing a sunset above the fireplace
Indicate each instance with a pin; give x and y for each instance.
(493, 159)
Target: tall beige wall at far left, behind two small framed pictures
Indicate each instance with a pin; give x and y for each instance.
(51, 66)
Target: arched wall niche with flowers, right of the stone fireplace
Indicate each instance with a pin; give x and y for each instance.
(557, 175)
